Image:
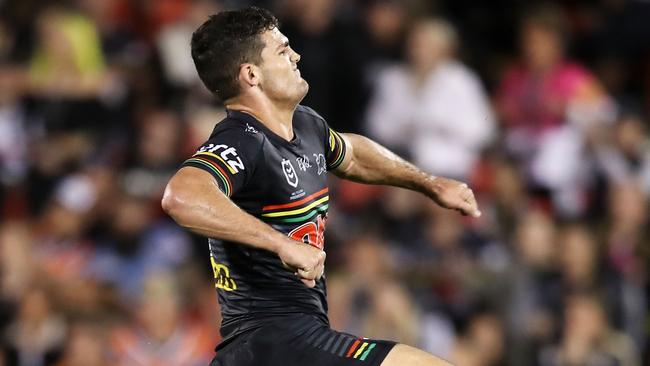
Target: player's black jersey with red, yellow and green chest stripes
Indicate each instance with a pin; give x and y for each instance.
(283, 183)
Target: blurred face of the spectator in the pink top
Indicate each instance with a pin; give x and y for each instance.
(541, 47)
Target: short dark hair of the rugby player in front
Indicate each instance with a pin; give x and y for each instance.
(224, 42)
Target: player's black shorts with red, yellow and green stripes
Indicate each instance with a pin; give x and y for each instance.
(299, 341)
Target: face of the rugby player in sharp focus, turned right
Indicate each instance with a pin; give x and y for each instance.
(281, 78)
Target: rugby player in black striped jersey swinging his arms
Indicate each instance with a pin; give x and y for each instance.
(258, 190)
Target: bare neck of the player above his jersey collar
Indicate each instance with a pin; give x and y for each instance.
(276, 118)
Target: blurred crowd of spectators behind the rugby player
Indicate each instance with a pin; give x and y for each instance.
(541, 107)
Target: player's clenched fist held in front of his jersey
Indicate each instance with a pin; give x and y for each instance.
(307, 262)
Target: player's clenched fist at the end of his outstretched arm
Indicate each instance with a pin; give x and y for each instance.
(454, 195)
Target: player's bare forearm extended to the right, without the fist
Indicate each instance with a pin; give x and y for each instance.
(372, 163)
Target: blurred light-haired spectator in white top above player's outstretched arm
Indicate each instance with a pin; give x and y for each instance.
(432, 108)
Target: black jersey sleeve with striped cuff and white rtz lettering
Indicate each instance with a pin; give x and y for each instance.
(229, 156)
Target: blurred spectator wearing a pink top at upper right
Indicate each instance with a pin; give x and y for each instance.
(548, 106)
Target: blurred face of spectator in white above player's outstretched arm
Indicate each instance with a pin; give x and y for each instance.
(429, 43)
